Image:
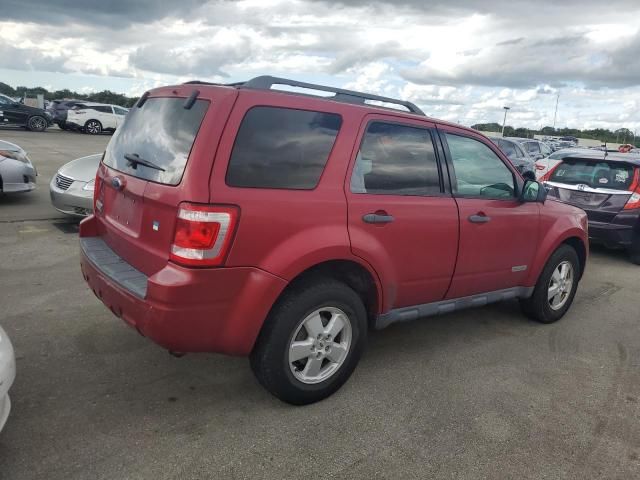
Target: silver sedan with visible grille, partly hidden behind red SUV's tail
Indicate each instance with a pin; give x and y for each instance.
(71, 189)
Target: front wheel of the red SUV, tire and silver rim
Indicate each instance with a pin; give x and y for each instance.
(541, 306)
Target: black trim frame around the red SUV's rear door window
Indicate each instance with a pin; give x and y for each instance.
(432, 131)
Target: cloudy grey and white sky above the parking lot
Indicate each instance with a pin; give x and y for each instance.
(460, 60)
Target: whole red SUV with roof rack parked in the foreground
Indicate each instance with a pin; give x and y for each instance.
(251, 221)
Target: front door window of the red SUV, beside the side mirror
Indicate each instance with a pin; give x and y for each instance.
(479, 171)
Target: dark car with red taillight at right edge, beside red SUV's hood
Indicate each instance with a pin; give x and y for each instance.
(608, 189)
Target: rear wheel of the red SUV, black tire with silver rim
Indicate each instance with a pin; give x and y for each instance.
(311, 341)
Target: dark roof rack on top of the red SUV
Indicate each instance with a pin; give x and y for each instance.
(265, 82)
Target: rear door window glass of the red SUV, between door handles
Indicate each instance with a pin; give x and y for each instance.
(396, 160)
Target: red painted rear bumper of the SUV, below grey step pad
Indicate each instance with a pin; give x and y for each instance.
(191, 310)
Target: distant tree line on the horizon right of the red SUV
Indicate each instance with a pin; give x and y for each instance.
(621, 135)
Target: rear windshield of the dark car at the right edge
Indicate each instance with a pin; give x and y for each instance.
(618, 176)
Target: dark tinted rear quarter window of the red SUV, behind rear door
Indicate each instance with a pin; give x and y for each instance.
(282, 148)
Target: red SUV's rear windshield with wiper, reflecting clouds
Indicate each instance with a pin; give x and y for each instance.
(162, 132)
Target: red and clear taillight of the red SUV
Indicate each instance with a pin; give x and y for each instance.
(203, 234)
